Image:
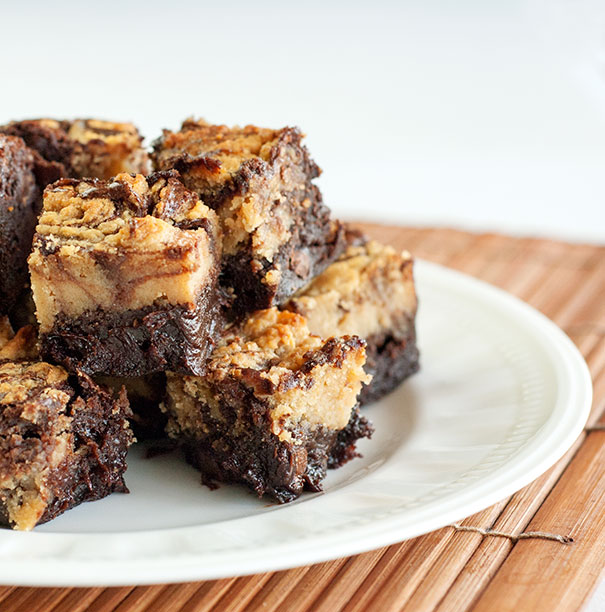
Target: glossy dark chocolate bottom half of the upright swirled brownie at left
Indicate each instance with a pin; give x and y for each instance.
(157, 338)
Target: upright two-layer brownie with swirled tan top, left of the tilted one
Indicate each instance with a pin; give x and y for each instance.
(124, 276)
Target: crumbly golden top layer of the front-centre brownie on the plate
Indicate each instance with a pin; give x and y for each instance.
(303, 379)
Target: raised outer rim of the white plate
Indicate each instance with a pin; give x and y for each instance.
(48, 570)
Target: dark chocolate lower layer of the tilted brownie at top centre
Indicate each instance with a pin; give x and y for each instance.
(315, 243)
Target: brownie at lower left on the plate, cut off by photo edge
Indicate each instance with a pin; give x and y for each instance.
(63, 441)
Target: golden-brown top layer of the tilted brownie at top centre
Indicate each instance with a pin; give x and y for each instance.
(255, 178)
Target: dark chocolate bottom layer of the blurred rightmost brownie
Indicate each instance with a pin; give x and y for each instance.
(390, 360)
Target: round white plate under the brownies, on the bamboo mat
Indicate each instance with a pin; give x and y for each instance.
(502, 394)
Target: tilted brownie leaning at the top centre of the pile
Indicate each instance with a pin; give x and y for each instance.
(278, 234)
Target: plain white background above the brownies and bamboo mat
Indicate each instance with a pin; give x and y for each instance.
(487, 115)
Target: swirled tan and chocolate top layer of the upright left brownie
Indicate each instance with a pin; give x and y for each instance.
(121, 244)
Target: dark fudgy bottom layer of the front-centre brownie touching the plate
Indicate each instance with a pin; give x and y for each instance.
(268, 466)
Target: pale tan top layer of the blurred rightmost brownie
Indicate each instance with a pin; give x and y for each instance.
(370, 289)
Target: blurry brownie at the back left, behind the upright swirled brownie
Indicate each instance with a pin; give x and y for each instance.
(81, 148)
